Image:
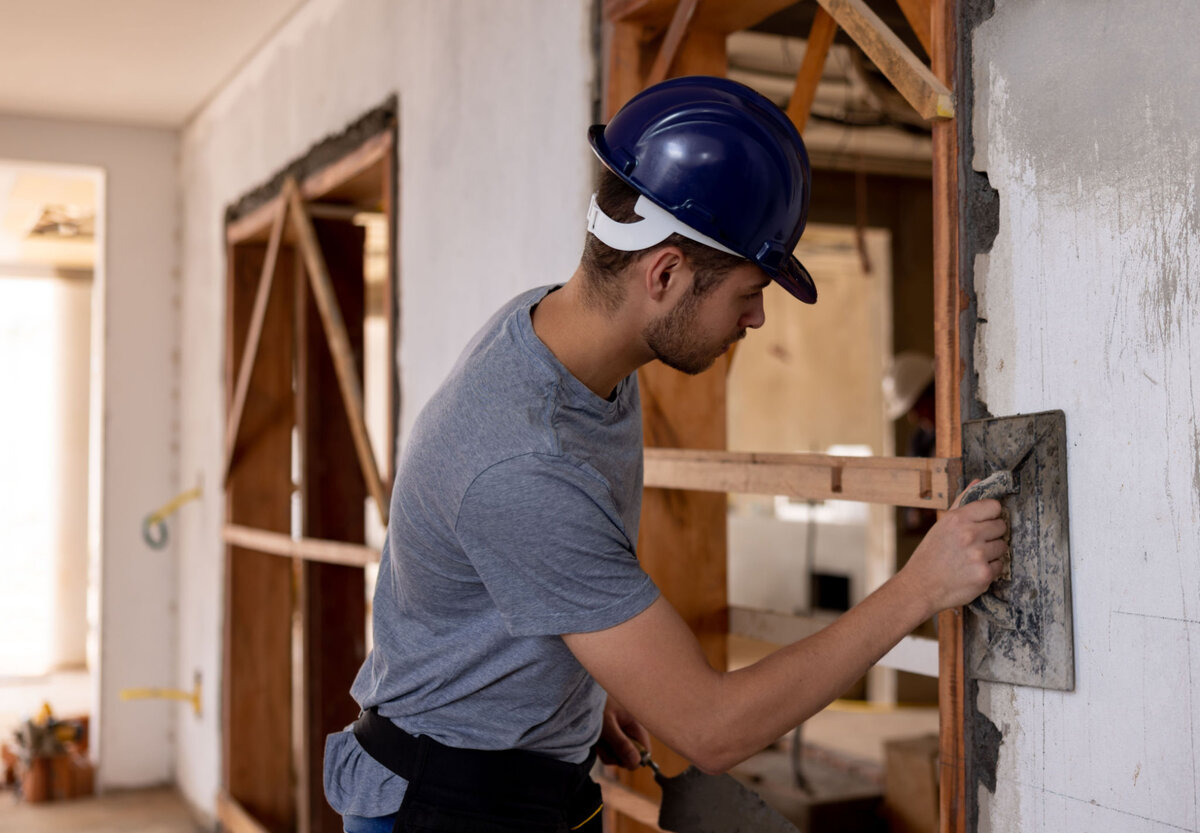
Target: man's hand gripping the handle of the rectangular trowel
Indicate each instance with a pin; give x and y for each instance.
(961, 556)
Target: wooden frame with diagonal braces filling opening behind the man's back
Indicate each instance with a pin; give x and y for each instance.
(296, 628)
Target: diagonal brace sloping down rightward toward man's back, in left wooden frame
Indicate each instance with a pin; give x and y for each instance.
(339, 345)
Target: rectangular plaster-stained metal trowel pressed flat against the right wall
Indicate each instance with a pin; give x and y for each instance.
(1021, 631)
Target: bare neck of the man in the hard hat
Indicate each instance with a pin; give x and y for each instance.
(599, 349)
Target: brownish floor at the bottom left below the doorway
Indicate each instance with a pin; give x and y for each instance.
(136, 812)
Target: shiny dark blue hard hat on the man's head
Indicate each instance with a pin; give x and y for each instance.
(722, 160)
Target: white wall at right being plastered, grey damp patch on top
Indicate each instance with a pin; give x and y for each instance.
(1089, 125)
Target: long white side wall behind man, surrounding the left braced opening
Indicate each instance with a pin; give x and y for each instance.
(495, 172)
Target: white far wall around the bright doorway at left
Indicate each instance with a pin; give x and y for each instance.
(134, 345)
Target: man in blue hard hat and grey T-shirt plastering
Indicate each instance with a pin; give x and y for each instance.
(515, 631)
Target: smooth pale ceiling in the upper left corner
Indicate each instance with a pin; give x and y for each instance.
(129, 62)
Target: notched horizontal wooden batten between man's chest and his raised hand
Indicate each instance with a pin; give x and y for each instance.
(928, 483)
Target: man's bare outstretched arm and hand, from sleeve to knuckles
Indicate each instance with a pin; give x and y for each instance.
(656, 668)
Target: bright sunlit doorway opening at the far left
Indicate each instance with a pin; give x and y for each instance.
(51, 326)
